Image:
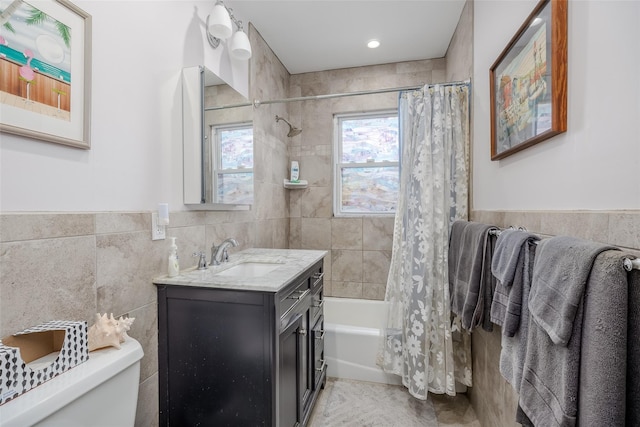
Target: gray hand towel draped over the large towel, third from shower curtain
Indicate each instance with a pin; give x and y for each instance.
(560, 273)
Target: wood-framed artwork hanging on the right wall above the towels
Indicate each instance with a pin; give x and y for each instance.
(528, 83)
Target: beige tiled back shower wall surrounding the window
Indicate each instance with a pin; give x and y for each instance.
(360, 247)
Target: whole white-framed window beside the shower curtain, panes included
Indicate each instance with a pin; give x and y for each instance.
(367, 163)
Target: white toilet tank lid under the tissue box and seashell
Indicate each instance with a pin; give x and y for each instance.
(44, 400)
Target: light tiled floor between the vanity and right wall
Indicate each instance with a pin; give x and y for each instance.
(354, 404)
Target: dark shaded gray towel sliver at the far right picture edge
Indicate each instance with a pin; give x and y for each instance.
(633, 351)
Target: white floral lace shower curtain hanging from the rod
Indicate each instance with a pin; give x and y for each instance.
(422, 343)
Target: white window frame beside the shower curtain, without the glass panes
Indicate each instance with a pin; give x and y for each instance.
(338, 165)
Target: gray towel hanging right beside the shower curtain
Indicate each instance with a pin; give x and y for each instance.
(470, 271)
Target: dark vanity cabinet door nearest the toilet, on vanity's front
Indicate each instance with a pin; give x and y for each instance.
(291, 344)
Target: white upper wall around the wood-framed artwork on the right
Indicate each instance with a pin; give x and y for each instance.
(595, 164)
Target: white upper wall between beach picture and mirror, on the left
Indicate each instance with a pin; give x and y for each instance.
(135, 161)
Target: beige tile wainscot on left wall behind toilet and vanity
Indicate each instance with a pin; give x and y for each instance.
(71, 266)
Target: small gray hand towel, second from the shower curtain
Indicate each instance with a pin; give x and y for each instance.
(510, 266)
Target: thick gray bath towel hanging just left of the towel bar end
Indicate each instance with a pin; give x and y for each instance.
(603, 363)
